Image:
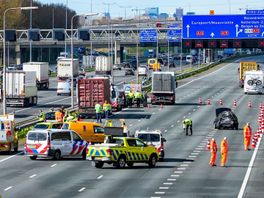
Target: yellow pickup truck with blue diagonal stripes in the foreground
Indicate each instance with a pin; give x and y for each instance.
(122, 151)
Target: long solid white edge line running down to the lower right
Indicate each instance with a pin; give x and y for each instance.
(245, 181)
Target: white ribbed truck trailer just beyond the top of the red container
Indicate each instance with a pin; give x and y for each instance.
(103, 65)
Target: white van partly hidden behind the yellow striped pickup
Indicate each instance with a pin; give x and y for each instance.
(153, 138)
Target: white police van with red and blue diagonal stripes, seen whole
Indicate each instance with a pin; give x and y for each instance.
(55, 143)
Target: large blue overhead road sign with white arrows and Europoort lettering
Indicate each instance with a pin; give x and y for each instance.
(223, 26)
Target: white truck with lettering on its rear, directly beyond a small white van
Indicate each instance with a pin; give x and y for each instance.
(65, 69)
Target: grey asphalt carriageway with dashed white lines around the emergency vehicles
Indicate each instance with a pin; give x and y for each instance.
(185, 171)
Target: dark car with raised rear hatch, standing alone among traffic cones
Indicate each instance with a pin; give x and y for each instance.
(225, 119)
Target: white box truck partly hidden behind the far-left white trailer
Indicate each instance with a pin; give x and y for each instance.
(42, 73)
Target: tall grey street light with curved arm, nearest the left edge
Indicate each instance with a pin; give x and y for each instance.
(4, 53)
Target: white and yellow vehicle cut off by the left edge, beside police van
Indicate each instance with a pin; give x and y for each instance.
(8, 138)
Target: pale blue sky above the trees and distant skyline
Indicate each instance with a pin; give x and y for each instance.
(118, 8)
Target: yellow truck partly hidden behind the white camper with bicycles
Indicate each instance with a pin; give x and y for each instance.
(243, 67)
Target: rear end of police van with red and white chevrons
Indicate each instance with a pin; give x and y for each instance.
(36, 143)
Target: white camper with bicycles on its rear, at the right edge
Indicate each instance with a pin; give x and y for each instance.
(254, 82)
